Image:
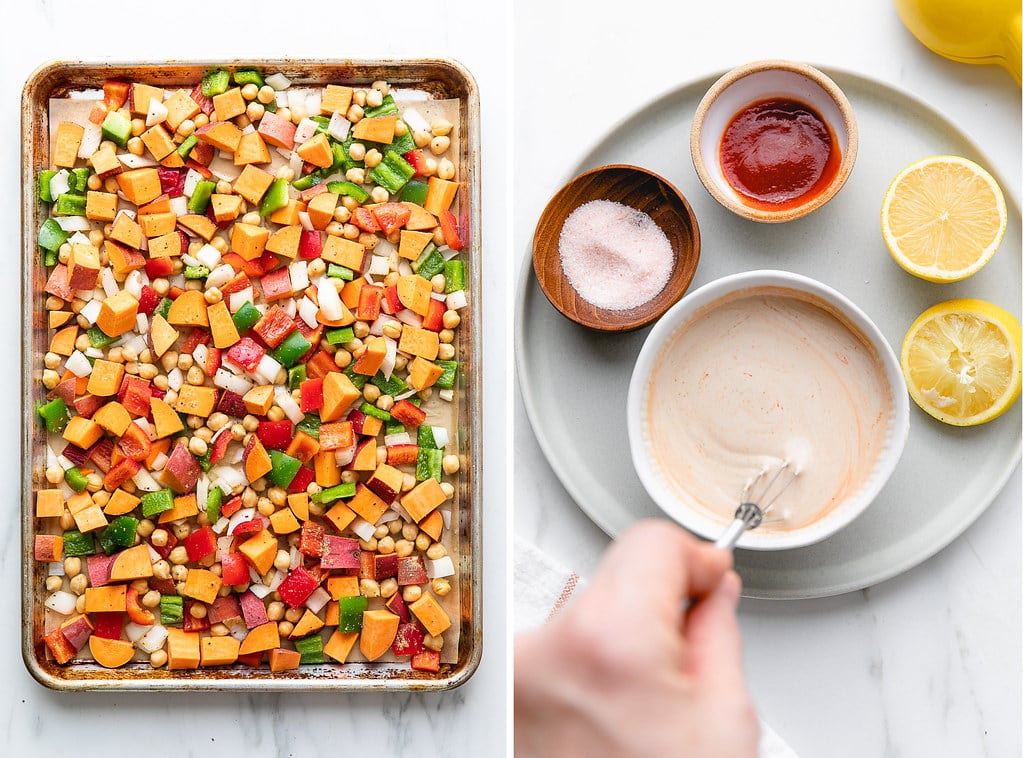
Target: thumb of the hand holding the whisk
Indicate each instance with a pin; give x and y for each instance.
(714, 645)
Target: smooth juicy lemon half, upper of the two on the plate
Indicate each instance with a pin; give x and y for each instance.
(943, 218)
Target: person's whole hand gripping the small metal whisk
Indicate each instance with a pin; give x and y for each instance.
(627, 670)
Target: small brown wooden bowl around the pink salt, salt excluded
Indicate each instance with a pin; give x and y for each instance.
(638, 189)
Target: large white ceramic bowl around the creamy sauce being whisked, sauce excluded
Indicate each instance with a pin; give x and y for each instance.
(675, 503)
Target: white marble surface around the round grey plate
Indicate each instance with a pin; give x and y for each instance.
(927, 663)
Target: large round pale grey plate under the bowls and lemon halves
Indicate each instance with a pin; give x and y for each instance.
(574, 382)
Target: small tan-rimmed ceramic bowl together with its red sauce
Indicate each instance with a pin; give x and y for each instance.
(774, 141)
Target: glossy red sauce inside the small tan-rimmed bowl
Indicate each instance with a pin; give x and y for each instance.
(779, 154)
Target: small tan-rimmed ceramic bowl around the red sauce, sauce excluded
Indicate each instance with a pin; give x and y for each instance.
(759, 81)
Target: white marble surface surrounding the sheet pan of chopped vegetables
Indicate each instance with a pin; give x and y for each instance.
(469, 722)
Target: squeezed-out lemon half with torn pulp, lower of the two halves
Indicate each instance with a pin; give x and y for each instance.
(962, 363)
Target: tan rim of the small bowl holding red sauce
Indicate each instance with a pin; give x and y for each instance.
(726, 196)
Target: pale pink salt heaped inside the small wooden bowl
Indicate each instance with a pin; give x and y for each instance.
(614, 256)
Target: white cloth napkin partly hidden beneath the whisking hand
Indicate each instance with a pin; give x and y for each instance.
(543, 587)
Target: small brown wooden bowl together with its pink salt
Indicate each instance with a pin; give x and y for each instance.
(615, 248)
